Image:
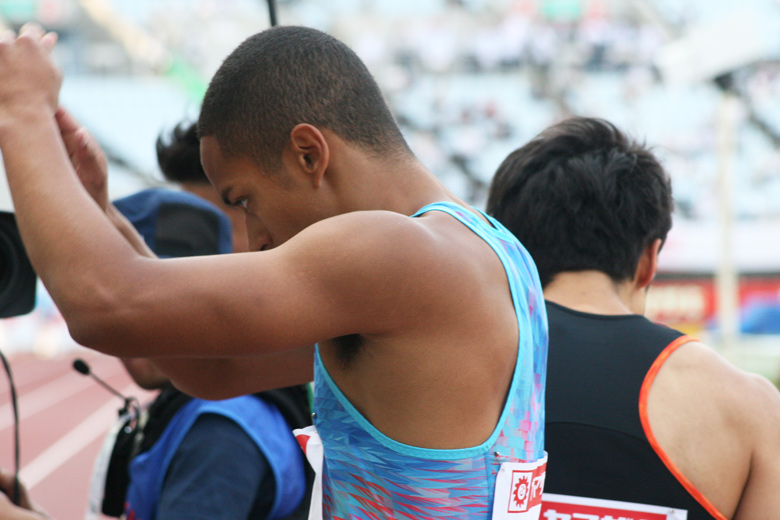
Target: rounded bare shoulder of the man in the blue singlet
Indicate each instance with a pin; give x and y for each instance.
(377, 267)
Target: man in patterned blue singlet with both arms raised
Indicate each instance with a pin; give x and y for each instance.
(430, 331)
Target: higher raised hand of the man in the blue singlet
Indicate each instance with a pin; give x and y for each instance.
(29, 80)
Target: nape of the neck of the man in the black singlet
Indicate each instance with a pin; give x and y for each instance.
(591, 291)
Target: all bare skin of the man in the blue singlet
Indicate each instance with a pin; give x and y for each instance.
(427, 298)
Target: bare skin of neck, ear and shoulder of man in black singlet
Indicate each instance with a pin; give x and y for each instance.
(719, 426)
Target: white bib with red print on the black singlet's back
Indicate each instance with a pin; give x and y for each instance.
(564, 507)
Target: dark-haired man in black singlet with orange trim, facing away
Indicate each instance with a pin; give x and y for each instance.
(636, 412)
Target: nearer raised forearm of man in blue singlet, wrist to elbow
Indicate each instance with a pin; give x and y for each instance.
(70, 241)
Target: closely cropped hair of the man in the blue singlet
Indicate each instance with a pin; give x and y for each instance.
(285, 76)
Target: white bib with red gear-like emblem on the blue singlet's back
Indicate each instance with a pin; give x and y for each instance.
(519, 487)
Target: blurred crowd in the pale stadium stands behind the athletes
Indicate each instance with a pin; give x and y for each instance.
(469, 80)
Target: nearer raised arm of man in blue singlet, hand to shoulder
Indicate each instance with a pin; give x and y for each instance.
(332, 279)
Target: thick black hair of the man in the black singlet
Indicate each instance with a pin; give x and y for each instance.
(583, 196)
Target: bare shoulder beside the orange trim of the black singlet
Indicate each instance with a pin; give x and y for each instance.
(720, 427)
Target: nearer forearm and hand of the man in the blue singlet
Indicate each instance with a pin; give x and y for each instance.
(50, 204)
